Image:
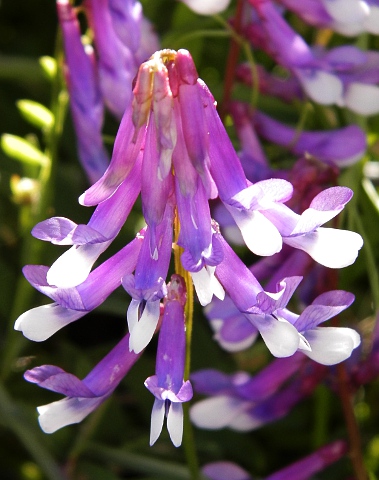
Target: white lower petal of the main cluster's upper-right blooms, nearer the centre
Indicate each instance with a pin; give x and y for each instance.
(259, 234)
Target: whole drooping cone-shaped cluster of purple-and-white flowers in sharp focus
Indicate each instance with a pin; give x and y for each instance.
(172, 150)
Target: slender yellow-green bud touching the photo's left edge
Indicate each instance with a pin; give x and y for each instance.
(22, 150)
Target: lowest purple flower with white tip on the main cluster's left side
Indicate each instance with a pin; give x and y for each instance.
(82, 396)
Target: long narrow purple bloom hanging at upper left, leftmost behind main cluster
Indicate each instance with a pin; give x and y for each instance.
(85, 97)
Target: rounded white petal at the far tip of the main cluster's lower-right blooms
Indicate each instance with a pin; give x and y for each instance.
(331, 345)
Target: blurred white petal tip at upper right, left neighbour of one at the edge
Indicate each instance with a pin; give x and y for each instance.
(322, 87)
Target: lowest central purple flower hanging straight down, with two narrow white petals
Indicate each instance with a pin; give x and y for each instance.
(167, 385)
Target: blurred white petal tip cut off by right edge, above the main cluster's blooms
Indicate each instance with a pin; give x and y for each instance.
(362, 98)
